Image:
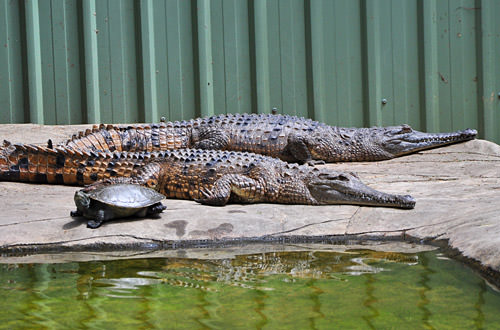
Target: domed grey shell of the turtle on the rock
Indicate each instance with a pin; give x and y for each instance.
(126, 195)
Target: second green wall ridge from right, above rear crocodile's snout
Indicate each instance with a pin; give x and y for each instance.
(429, 67)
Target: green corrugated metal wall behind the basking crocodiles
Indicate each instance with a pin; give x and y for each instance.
(437, 63)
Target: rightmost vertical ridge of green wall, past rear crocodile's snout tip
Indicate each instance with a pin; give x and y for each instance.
(488, 99)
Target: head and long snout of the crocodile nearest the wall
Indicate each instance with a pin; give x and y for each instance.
(402, 140)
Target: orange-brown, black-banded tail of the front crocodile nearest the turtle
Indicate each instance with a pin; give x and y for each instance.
(37, 164)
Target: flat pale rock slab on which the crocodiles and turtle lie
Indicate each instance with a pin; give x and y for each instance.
(457, 189)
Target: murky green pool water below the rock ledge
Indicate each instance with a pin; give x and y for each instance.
(294, 290)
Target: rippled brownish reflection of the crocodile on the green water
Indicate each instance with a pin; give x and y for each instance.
(247, 271)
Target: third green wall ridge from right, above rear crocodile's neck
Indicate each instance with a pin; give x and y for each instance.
(373, 89)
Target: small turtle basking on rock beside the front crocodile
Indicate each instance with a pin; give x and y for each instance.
(116, 201)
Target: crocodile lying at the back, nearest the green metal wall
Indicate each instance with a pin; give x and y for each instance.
(288, 138)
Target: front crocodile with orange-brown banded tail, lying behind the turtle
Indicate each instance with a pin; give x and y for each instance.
(212, 177)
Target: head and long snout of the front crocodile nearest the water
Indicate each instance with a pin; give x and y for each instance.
(342, 188)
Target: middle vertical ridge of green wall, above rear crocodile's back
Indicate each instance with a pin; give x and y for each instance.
(261, 57)
